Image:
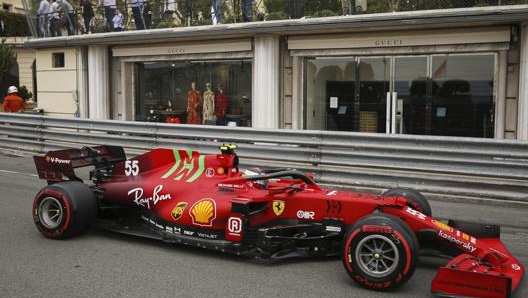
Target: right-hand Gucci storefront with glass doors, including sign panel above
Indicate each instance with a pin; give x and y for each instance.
(386, 85)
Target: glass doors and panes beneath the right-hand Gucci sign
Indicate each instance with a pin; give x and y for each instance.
(434, 94)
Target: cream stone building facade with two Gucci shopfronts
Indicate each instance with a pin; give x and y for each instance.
(459, 72)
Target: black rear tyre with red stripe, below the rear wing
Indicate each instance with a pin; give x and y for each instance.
(64, 209)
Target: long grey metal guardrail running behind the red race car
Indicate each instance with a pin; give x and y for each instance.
(486, 169)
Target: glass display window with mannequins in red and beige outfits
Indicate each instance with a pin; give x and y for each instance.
(194, 92)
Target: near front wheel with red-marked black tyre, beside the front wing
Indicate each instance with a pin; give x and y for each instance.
(380, 252)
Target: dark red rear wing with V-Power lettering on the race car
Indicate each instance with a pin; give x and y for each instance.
(56, 165)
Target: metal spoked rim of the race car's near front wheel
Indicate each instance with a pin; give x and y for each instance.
(377, 255)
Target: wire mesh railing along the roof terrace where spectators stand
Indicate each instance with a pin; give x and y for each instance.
(173, 13)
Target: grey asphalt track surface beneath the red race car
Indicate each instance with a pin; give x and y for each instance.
(103, 264)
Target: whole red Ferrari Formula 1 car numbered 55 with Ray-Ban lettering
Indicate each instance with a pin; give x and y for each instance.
(205, 201)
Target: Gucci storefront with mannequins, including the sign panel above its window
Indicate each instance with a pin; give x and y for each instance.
(189, 83)
